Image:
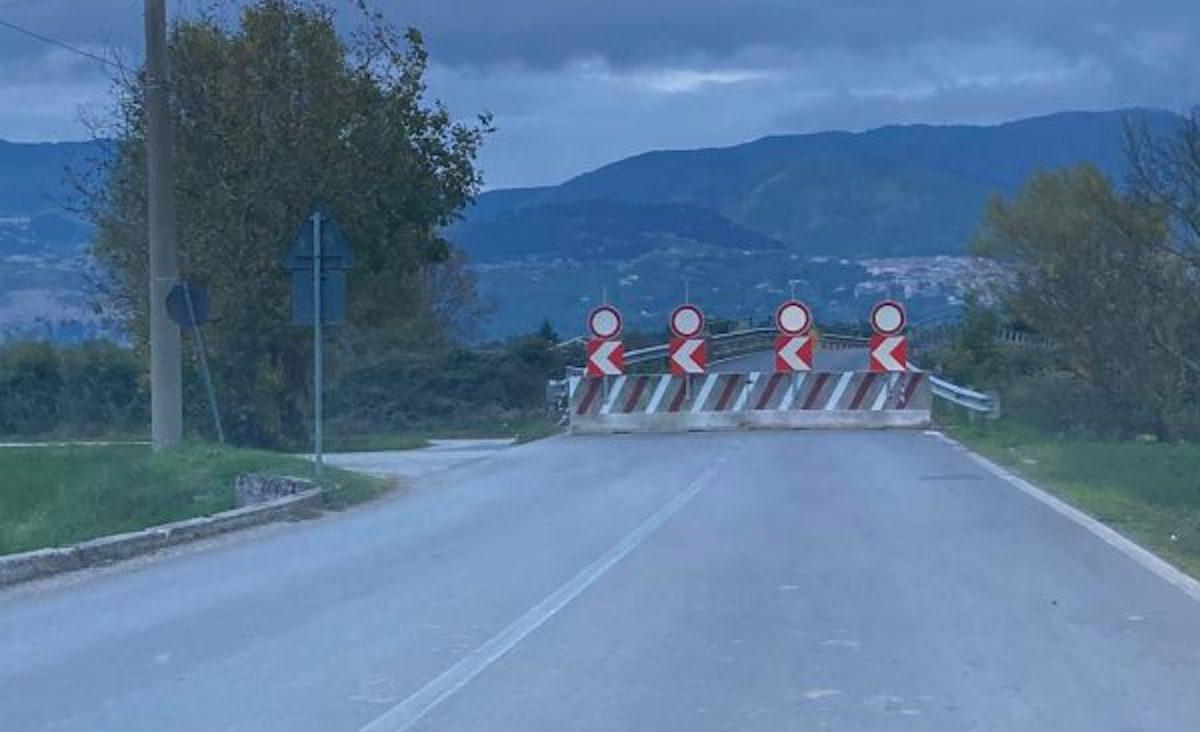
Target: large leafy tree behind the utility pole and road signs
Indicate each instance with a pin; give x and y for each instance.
(271, 117)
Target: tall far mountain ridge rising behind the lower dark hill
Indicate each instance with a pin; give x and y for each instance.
(899, 190)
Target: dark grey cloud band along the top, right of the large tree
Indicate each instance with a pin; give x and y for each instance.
(549, 33)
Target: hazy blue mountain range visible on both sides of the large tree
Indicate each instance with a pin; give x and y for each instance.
(843, 217)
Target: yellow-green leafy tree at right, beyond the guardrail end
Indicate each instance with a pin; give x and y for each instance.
(1093, 275)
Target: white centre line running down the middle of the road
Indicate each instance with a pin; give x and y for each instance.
(407, 713)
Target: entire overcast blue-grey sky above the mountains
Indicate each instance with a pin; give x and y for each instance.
(579, 83)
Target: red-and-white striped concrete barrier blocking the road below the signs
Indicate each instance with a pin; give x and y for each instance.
(731, 401)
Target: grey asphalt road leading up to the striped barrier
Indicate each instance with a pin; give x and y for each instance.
(699, 583)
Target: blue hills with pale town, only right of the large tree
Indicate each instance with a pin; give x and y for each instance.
(856, 215)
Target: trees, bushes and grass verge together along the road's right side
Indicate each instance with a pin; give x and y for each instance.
(1102, 400)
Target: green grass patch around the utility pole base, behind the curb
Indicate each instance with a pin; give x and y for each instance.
(59, 496)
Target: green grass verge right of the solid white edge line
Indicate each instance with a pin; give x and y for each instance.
(1148, 491)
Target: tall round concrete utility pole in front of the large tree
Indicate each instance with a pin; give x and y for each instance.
(166, 371)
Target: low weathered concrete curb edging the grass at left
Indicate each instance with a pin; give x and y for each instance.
(106, 550)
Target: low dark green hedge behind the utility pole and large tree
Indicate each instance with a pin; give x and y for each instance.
(99, 389)
